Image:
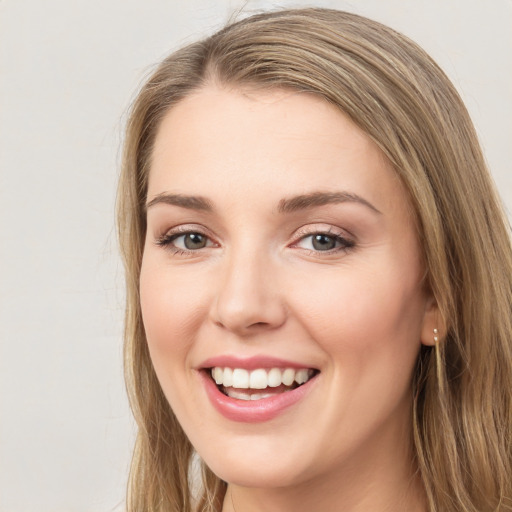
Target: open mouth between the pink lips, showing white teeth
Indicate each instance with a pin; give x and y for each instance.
(260, 383)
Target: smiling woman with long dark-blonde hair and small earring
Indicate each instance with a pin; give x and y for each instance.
(319, 278)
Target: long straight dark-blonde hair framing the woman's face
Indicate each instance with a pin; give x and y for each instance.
(391, 89)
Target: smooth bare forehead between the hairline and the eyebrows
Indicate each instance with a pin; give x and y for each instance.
(255, 143)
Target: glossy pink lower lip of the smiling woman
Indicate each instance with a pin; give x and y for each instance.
(253, 411)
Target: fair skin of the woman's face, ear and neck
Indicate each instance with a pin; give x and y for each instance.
(358, 312)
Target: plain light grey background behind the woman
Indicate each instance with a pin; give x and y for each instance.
(68, 70)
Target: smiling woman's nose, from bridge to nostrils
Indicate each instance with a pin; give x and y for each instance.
(248, 299)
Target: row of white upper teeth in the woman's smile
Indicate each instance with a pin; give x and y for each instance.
(259, 378)
